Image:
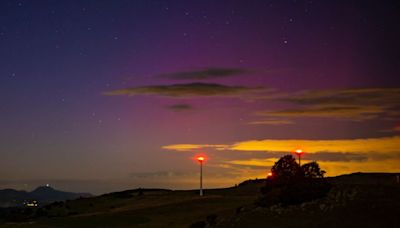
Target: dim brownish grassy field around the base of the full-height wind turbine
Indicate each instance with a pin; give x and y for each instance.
(152, 209)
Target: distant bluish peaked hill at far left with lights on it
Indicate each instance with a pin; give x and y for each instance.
(43, 195)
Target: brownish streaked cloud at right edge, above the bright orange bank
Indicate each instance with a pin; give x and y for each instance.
(357, 104)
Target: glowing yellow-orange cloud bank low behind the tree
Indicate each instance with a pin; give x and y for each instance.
(252, 158)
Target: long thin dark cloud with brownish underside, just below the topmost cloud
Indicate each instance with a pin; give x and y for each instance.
(184, 90)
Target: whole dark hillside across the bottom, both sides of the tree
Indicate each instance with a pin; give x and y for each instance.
(357, 200)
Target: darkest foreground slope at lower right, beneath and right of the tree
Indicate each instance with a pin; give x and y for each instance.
(356, 200)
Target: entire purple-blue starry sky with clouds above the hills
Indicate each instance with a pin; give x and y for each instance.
(102, 96)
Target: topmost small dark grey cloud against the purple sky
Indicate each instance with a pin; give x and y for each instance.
(203, 74)
